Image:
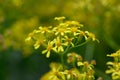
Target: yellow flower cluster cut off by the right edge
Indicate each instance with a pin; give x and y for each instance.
(114, 67)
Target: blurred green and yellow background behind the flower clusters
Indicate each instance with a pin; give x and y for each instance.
(19, 60)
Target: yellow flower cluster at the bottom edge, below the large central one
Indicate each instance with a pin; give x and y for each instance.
(83, 70)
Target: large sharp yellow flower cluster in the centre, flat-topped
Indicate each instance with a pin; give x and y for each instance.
(58, 38)
